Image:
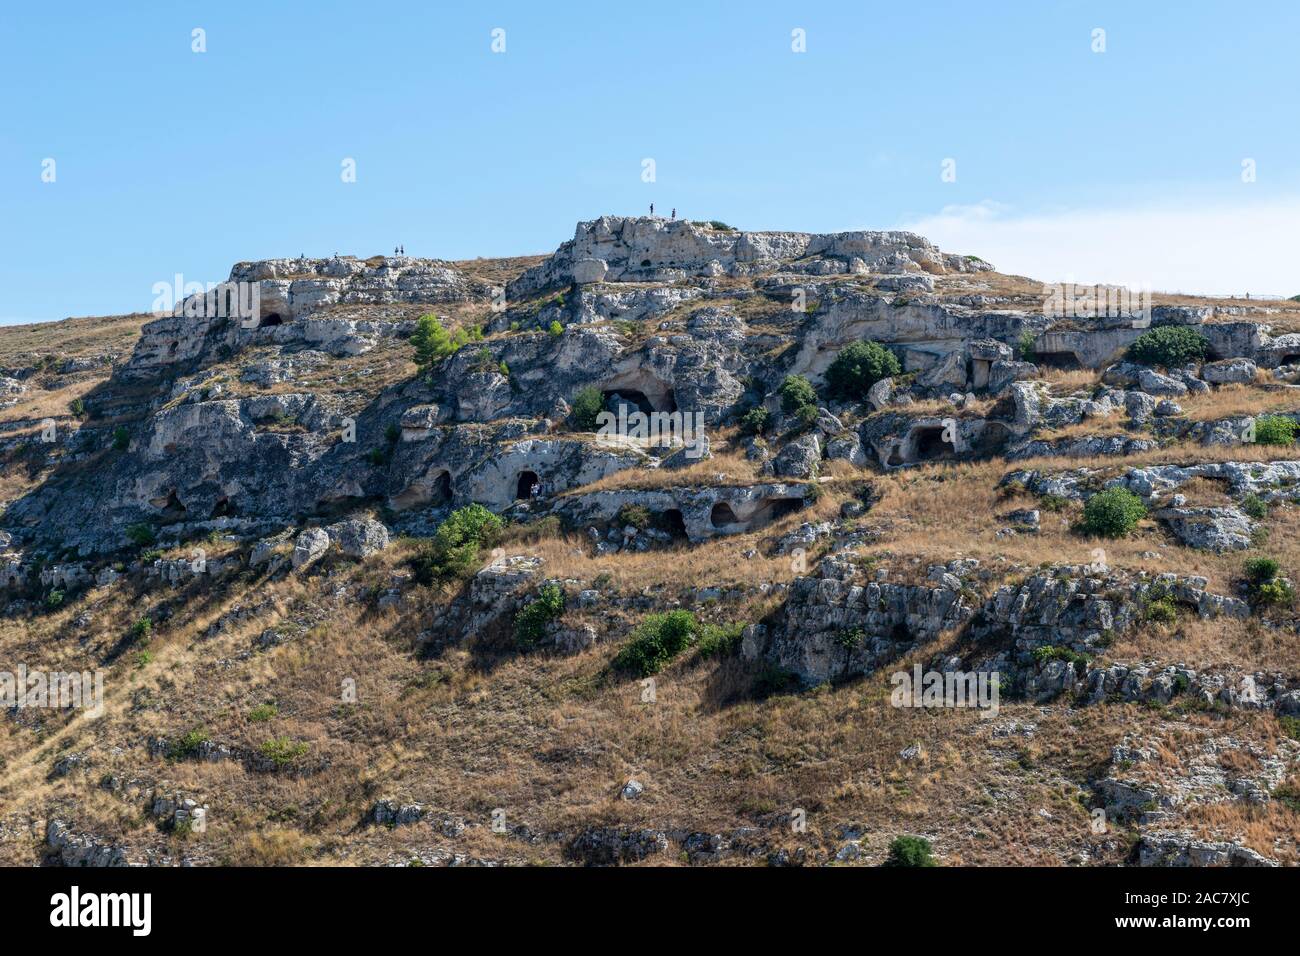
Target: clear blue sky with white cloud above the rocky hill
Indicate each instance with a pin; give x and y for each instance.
(1124, 166)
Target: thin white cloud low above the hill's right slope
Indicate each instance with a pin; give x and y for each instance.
(1207, 249)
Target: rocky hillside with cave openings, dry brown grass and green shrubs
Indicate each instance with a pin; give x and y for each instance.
(370, 587)
